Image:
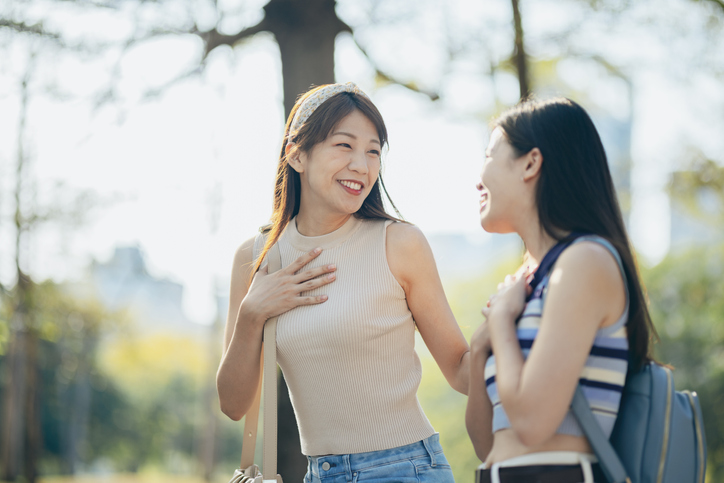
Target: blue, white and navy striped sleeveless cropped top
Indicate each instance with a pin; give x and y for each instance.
(604, 373)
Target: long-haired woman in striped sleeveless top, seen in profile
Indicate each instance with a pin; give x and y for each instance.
(546, 178)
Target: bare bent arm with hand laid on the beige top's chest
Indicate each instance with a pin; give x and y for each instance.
(250, 306)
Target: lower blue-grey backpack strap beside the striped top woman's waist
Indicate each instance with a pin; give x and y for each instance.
(607, 457)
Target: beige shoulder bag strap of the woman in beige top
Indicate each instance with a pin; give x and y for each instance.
(269, 351)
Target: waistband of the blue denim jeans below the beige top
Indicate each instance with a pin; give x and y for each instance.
(328, 465)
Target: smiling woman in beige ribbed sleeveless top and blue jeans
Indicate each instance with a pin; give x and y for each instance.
(355, 283)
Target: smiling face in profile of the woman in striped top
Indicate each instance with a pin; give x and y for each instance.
(500, 186)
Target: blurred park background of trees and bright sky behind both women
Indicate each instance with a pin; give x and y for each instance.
(138, 145)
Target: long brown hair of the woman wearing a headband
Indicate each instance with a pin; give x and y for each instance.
(321, 123)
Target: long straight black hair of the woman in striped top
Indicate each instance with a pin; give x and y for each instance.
(575, 193)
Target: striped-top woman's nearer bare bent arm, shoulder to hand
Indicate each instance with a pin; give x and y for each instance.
(585, 293)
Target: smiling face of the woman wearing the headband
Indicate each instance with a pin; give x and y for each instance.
(338, 173)
